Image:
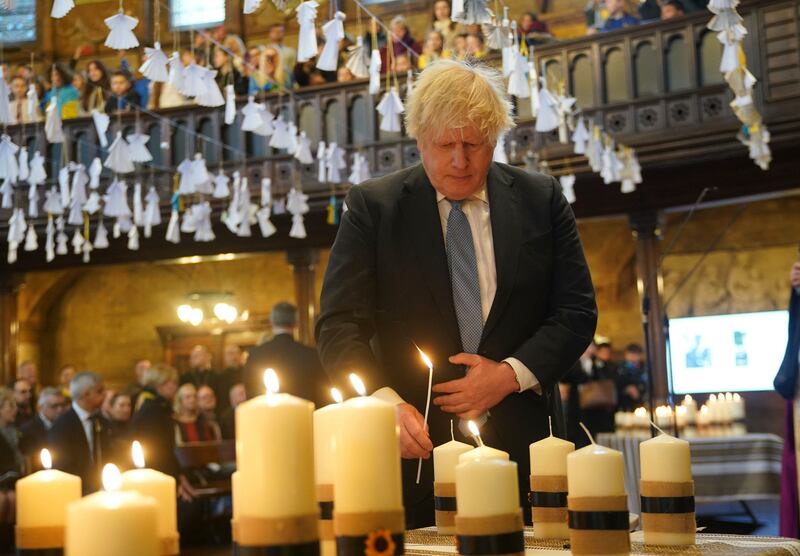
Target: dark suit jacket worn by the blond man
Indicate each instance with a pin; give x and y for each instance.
(387, 287)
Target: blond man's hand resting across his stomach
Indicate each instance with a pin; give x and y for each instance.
(487, 383)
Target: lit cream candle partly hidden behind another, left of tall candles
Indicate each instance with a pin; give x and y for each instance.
(161, 487)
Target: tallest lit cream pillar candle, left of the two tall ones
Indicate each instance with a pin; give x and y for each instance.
(275, 455)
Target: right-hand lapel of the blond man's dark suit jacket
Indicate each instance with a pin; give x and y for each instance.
(506, 236)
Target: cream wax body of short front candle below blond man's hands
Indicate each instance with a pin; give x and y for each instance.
(487, 487)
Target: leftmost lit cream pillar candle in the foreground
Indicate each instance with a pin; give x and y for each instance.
(42, 500)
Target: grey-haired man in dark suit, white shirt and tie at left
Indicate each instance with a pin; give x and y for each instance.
(81, 439)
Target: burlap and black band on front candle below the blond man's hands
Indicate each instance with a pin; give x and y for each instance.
(497, 534)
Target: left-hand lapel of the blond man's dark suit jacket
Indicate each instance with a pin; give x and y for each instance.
(420, 217)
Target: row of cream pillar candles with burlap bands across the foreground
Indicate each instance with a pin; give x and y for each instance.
(331, 478)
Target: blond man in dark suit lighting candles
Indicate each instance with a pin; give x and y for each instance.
(476, 262)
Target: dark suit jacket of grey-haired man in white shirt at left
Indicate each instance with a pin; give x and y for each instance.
(71, 453)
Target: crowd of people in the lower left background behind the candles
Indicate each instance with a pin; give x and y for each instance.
(85, 424)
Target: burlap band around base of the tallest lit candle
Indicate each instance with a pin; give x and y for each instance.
(259, 531)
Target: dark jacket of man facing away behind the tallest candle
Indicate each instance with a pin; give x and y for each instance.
(298, 367)
